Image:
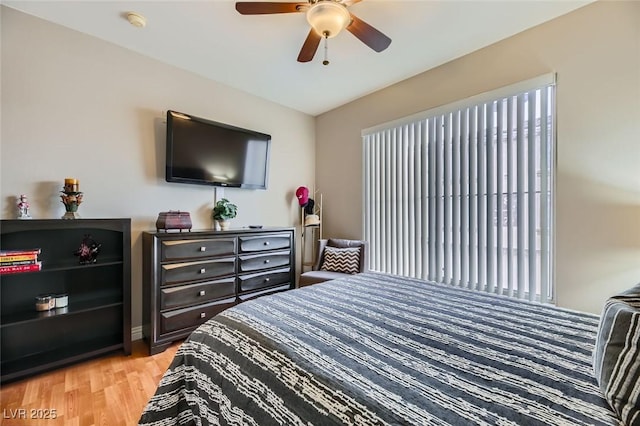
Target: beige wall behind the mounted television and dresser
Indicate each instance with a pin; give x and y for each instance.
(76, 106)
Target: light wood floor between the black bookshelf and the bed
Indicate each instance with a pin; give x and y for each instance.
(107, 391)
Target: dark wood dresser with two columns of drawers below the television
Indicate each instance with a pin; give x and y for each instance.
(188, 277)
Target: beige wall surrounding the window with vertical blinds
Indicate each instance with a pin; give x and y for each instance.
(595, 52)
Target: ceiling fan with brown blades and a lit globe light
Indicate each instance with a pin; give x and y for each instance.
(326, 17)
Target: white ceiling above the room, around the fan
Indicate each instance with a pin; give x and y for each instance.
(257, 53)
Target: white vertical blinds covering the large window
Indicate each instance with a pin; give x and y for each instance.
(462, 194)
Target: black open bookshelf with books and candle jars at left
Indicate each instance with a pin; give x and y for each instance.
(97, 319)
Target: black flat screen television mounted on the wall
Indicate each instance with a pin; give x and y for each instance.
(204, 152)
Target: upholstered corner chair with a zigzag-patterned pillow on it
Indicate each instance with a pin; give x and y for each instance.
(337, 258)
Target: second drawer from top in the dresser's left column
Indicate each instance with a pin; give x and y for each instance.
(197, 271)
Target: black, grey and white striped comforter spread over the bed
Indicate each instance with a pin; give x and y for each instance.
(379, 349)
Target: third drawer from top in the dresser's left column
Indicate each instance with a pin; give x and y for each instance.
(184, 295)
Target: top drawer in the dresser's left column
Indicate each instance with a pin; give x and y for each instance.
(189, 249)
